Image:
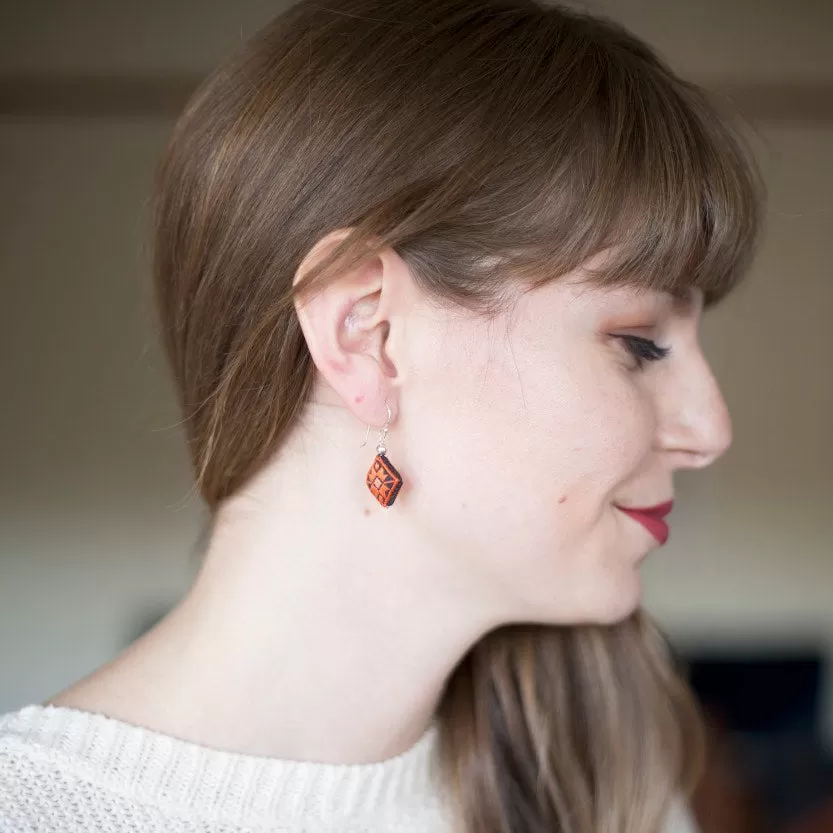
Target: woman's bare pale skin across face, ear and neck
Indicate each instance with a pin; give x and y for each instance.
(323, 626)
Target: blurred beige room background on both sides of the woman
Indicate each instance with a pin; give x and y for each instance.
(100, 532)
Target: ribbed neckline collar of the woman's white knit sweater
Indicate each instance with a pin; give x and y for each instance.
(195, 780)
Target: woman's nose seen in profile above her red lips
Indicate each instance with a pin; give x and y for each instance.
(694, 424)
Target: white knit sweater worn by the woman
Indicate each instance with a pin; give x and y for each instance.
(67, 771)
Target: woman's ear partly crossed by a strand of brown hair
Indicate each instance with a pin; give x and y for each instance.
(348, 329)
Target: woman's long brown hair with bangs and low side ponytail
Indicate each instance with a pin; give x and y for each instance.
(486, 141)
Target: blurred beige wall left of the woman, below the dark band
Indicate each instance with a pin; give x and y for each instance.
(93, 477)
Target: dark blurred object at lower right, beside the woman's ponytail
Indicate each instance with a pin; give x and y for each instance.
(767, 763)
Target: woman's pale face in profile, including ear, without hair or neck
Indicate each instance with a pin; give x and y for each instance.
(525, 434)
